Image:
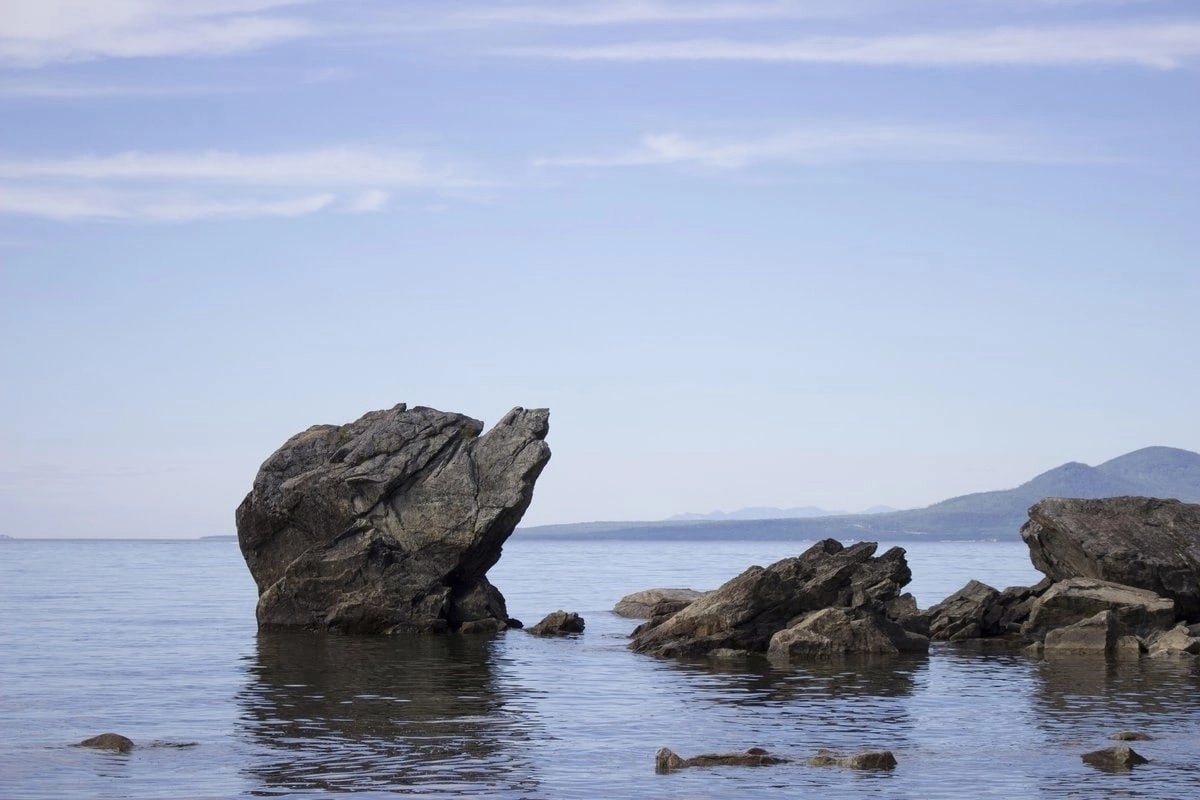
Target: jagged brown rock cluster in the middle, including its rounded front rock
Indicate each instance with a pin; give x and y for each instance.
(829, 601)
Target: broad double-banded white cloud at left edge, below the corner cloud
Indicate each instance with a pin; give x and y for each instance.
(176, 188)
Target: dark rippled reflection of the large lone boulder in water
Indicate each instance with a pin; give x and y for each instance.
(347, 714)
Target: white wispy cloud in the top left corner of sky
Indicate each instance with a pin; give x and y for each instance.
(35, 33)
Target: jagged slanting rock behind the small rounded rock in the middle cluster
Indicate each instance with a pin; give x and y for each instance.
(751, 610)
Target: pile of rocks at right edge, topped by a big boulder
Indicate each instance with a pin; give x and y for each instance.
(1123, 578)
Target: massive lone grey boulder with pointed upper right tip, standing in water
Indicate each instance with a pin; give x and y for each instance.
(392, 522)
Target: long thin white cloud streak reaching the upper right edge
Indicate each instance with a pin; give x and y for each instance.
(1162, 46)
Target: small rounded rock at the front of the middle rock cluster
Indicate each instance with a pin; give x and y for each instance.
(841, 631)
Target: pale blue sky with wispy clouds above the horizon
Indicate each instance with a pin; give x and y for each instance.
(759, 254)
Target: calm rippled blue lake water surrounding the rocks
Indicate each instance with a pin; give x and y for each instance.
(157, 641)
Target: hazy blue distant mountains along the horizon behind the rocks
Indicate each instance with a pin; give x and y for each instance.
(1151, 472)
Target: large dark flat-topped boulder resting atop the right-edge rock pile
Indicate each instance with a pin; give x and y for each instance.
(1143, 543)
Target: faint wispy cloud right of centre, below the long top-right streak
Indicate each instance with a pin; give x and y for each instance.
(830, 145)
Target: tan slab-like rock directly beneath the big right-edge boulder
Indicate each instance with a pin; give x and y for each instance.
(1072, 601)
